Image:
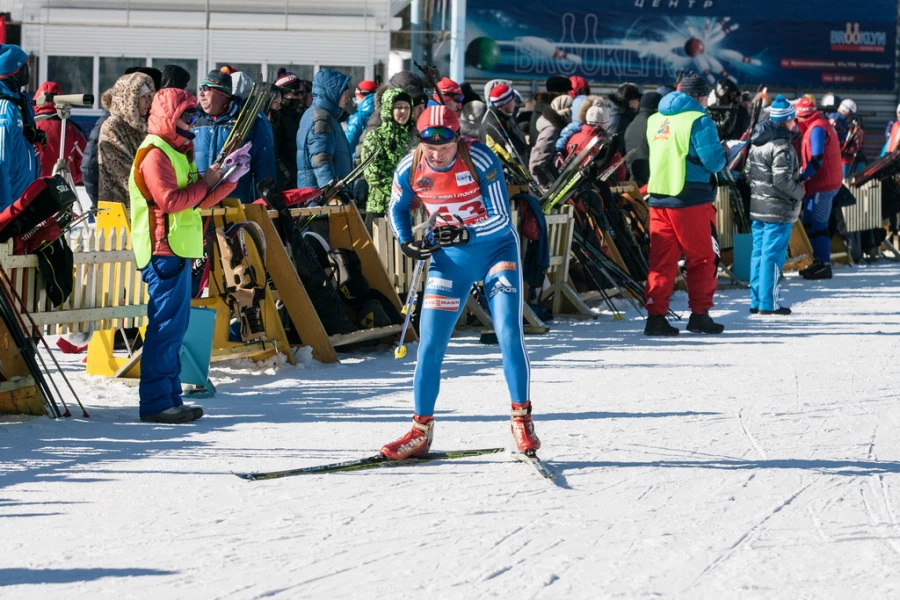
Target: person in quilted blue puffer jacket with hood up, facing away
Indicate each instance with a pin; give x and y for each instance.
(323, 152)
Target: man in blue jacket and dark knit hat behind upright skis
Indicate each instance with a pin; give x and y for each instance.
(220, 110)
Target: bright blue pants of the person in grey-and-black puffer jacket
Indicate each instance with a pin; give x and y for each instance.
(770, 242)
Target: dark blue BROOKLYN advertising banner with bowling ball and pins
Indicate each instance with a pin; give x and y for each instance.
(798, 43)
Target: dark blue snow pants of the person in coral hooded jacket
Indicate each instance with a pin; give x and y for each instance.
(168, 280)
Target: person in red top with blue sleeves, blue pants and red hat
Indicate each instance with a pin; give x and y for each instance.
(822, 174)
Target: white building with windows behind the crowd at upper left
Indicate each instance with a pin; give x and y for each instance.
(85, 45)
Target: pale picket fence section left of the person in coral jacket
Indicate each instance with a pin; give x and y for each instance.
(107, 292)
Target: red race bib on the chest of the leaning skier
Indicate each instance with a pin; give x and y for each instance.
(454, 191)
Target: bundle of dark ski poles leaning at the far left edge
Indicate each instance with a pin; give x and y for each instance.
(29, 350)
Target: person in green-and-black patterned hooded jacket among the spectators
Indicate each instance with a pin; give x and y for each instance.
(392, 137)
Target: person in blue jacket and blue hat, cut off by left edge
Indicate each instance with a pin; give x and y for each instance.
(19, 163)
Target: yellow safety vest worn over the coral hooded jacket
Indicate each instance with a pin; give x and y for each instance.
(184, 230)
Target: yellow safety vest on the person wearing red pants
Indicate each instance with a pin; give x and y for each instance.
(669, 137)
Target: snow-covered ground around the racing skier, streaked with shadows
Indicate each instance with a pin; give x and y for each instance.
(764, 462)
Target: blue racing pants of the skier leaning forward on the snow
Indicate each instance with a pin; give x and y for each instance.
(453, 271)
